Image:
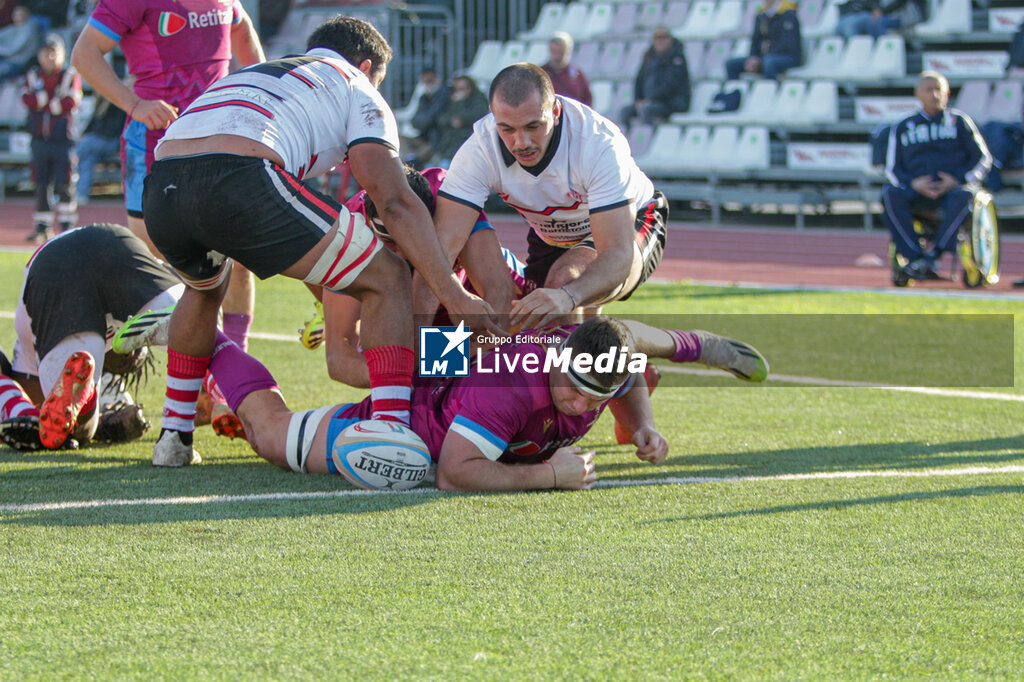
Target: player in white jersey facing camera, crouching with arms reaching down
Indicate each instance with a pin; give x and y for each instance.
(598, 224)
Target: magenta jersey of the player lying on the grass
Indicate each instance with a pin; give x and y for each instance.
(509, 416)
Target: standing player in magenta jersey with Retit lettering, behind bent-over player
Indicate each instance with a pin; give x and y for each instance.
(176, 50)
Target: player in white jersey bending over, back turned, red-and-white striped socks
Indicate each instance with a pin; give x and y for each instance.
(228, 184)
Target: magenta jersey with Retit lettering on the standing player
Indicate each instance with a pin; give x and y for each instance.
(176, 49)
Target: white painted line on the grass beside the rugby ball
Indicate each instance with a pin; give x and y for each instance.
(672, 481)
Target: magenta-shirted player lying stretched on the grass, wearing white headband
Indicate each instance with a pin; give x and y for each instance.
(511, 430)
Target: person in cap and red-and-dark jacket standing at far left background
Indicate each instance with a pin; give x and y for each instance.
(52, 95)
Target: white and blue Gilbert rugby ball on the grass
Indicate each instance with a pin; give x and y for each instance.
(378, 455)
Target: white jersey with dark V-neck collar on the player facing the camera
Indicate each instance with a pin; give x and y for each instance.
(588, 168)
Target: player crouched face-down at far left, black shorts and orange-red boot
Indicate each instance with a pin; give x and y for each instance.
(78, 289)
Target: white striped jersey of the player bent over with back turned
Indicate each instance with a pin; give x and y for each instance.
(310, 110)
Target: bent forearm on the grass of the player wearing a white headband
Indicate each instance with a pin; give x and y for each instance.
(462, 466)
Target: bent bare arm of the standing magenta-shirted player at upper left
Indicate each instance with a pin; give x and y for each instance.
(89, 58)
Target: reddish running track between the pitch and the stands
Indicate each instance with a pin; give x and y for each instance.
(778, 257)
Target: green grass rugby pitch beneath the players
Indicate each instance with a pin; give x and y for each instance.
(794, 533)
